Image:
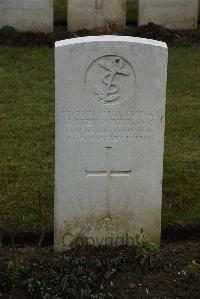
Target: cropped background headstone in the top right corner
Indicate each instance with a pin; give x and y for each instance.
(172, 14)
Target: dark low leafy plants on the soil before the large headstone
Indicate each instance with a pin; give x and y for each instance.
(72, 277)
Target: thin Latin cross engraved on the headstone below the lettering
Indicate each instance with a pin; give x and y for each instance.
(108, 173)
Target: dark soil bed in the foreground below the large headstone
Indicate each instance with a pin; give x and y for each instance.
(103, 272)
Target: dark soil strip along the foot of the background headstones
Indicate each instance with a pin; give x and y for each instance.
(176, 38)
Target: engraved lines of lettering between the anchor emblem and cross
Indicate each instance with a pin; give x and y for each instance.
(109, 126)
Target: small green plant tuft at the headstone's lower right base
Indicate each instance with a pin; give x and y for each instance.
(146, 252)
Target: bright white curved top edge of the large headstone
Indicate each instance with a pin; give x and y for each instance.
(110, 38)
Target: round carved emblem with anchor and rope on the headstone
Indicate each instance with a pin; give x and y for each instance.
(110, 80)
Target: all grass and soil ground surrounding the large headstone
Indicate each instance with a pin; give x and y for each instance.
(27, 183)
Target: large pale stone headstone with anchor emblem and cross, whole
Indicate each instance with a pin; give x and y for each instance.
(110, 115)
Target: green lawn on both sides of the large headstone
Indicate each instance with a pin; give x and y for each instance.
(27, 139)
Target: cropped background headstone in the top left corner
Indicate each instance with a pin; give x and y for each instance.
(27, 15)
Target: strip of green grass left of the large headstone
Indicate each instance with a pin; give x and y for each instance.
(27, 135)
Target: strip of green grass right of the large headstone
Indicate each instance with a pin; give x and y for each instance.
(182, 159)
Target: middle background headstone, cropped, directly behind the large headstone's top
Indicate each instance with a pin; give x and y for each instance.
(90, 14)
